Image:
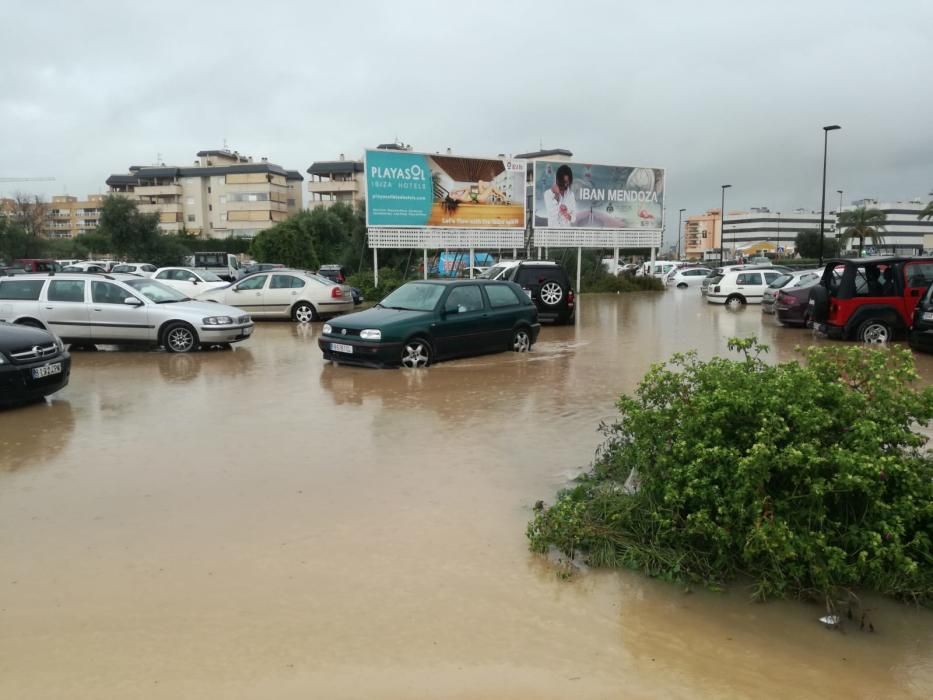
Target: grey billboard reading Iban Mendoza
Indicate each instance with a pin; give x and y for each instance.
(605, 197)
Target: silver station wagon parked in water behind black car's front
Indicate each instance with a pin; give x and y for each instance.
(96, 309)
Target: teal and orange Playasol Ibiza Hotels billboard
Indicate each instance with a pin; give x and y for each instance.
(443, 191)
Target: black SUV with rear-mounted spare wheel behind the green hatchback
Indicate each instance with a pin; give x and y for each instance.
(545, 282)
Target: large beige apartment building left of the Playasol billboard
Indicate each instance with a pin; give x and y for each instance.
(222, 194)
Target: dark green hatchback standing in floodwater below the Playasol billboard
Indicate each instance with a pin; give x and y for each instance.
(421, 322)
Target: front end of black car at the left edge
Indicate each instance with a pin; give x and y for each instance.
(33, 364)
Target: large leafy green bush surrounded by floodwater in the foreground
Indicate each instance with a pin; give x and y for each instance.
(808, 478)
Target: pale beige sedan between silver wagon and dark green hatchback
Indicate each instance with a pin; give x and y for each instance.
(285, 293)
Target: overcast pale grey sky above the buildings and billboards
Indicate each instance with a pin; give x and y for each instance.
(716, 92)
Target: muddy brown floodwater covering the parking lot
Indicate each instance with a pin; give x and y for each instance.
(259, 524)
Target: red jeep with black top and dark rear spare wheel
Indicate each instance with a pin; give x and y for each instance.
(869, 299)
